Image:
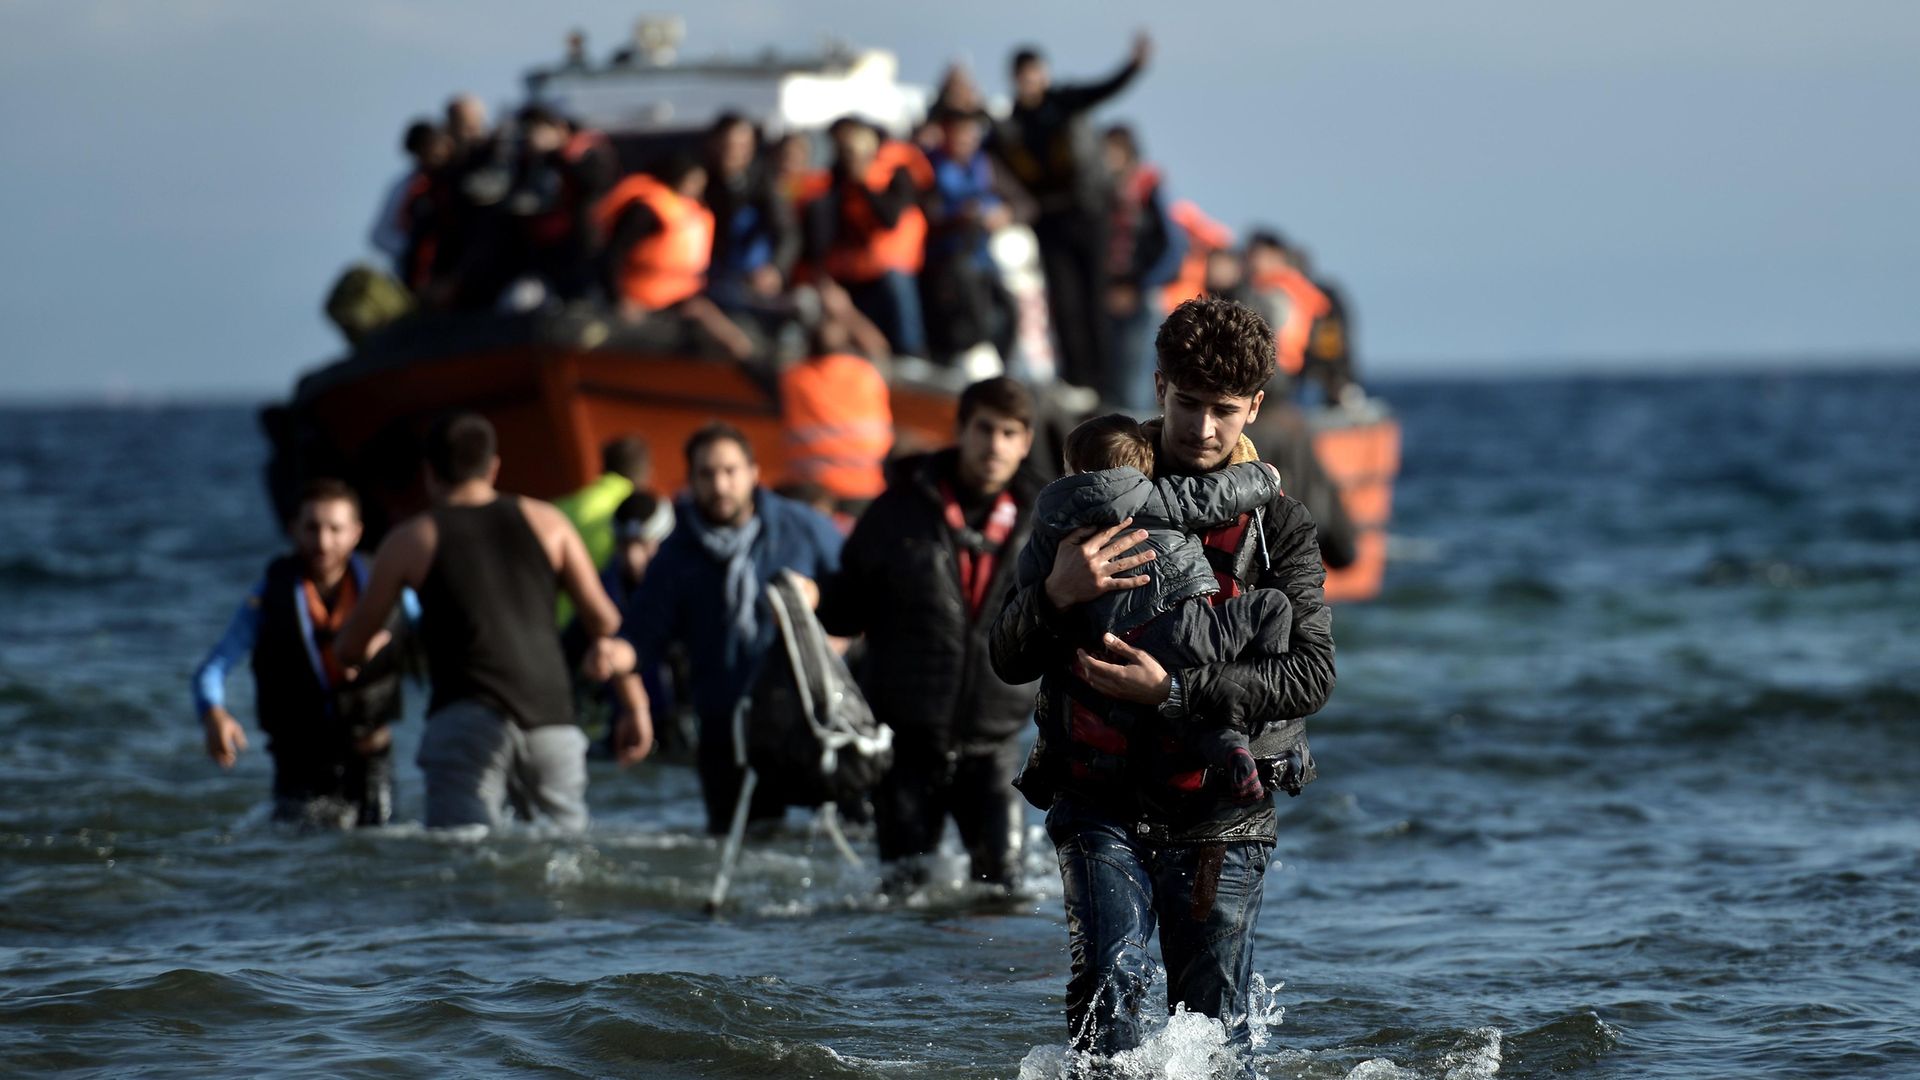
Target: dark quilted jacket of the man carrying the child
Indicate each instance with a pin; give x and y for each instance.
(1264, 697)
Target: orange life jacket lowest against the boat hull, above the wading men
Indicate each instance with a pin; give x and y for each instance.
(838, 426)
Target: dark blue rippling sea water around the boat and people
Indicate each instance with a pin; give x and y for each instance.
(1621, 779)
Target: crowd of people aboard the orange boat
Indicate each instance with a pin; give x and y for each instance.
(746, 245)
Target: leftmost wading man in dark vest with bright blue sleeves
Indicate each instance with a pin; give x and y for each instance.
(329, 725)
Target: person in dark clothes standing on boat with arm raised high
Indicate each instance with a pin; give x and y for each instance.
(1049, 147)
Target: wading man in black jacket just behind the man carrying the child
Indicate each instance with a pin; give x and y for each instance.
(923, 577)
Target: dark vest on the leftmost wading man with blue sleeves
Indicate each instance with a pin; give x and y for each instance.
(295, 699)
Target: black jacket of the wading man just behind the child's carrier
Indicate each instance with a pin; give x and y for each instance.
(928, 672)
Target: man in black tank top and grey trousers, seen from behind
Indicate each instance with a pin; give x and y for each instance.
(489, 566)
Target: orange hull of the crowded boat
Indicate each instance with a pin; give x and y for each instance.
(558, 389)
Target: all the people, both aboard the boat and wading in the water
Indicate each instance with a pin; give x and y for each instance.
(1157, 612)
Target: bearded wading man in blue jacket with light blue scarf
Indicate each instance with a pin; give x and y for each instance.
(708, 591)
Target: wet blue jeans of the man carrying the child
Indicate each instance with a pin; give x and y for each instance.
(1116, 889)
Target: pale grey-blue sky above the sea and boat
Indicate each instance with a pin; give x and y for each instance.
(1495, 184)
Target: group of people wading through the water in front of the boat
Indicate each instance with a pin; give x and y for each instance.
(1157, 614)
